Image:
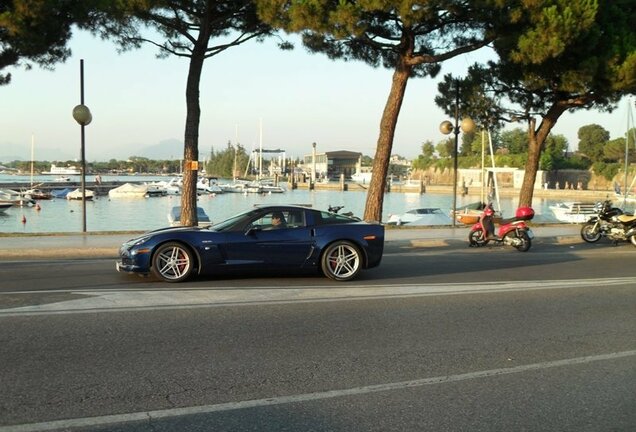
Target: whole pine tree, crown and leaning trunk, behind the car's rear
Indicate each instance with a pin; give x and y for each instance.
(409, 37)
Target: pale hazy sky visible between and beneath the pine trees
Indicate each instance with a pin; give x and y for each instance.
(299, 98)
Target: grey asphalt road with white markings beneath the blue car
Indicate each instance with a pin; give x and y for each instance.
(441, 339)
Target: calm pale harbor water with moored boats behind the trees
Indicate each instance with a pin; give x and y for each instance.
(141, 214)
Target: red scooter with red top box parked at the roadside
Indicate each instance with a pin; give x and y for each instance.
(514, 231)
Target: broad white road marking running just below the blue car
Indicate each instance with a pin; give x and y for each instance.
(147, 300)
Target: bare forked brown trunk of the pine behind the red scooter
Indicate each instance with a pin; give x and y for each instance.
(536, 139)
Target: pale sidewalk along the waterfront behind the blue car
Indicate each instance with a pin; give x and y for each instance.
(101, 245)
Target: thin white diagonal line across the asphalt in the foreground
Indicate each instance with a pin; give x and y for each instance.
(148, 416)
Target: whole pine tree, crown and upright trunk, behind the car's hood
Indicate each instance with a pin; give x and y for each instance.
(197, 30)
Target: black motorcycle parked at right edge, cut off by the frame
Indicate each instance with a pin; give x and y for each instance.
(610, 222)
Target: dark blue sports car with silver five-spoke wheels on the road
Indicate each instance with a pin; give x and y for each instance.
(281, 237)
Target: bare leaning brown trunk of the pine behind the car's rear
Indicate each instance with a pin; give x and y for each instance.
(375, 194)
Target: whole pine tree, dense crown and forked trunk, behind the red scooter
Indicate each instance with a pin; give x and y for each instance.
(555, 56)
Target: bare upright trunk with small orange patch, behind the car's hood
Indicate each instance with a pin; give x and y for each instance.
(191, 141)
